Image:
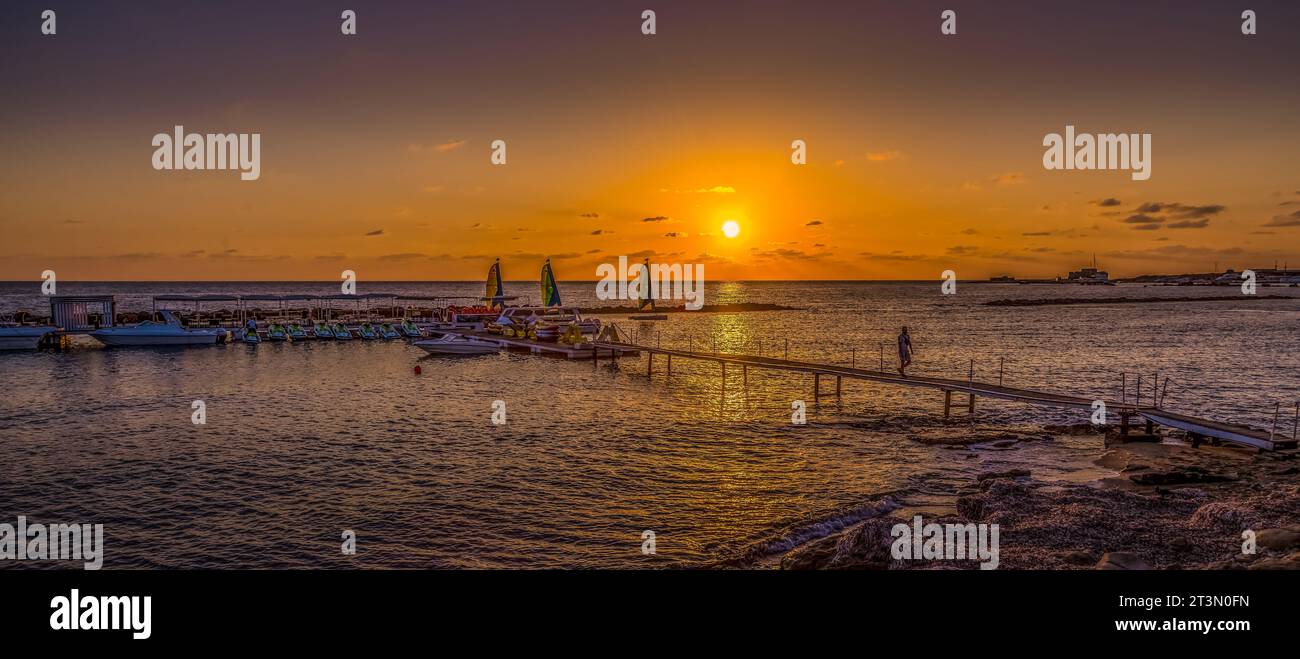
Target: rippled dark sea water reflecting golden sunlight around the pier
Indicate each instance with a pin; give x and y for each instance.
(307, 440)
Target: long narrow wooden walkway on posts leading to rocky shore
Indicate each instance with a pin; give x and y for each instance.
(1199, 430)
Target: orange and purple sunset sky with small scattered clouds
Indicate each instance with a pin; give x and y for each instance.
(924, 151)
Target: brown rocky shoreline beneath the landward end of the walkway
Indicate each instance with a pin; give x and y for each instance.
(1171, 508)
